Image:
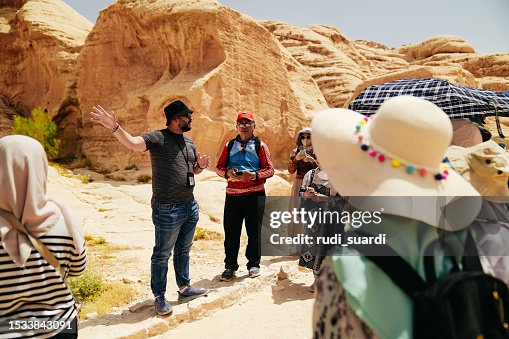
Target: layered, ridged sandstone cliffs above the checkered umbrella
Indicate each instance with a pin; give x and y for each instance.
(343, 68)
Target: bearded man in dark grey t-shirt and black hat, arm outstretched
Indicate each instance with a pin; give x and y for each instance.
(174, 210)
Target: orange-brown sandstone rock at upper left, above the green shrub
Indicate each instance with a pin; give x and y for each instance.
(39, 43)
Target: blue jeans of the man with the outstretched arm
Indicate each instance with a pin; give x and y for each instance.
(174, 230)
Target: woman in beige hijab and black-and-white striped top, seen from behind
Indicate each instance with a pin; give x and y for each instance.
(32, 291)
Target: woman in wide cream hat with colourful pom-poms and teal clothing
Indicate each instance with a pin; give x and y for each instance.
(397, 155)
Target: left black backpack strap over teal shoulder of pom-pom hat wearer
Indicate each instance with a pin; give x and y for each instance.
(394, 266)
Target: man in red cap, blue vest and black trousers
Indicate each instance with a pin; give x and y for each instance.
(245, 162)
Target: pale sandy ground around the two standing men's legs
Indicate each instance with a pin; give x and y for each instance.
(120, 212)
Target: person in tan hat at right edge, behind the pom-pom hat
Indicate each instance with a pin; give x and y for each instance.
(486, 167)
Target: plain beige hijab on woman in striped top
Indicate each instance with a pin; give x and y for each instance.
(23, 177)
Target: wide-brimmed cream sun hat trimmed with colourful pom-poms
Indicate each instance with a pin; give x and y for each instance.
(399, 152)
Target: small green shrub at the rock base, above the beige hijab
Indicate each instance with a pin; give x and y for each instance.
(41, 127)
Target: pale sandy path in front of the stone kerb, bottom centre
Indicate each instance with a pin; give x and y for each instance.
(281, 311)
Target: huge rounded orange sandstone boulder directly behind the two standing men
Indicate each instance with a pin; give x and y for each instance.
(141, 55)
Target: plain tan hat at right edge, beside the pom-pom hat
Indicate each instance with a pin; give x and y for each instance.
(485, 166)
